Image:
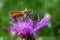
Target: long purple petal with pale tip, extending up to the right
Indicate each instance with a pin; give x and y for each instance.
(45, 21)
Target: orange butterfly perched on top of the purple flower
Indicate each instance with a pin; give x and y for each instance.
(20, 13)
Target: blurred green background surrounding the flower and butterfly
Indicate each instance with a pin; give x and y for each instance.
(50, 32)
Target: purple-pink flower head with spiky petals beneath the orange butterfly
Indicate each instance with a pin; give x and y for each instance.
(26, 27)
